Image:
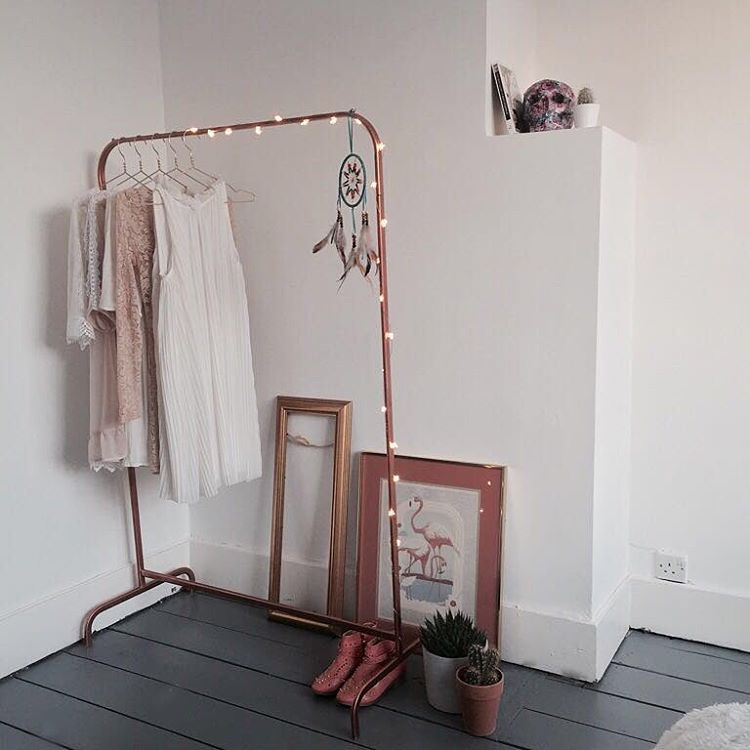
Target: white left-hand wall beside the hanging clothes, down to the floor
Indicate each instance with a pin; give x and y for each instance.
(72, 76)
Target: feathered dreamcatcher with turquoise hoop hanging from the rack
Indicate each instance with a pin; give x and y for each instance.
(352, 193)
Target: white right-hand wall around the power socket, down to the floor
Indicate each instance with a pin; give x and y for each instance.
(669, 75)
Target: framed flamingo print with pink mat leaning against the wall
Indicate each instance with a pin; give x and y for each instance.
(449, 540)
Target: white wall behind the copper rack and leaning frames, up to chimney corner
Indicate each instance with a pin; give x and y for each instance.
(494, 297)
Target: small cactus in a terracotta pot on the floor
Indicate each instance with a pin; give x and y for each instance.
(480, 688)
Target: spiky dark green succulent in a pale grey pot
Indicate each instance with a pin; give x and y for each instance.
(446, 640)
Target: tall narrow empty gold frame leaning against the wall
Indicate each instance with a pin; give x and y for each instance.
(341, 411)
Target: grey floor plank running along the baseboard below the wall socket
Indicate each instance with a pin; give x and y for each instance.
(655, 656)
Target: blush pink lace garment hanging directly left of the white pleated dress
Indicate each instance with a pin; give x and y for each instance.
(136, 363)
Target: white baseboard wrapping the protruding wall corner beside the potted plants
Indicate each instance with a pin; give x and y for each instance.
(574, 647)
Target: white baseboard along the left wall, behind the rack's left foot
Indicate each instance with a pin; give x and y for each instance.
(47, 625)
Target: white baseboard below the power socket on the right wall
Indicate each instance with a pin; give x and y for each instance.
(683, 610)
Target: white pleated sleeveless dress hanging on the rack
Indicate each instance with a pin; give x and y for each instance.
(209, 419)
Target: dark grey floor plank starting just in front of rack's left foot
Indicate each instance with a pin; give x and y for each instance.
(172, 708)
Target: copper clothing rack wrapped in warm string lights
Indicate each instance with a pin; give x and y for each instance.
(184, 577)
